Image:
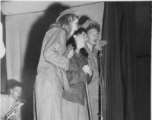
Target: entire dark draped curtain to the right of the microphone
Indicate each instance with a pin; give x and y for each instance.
(120, 60)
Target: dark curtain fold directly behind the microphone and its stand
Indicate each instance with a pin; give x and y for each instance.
(114, 91)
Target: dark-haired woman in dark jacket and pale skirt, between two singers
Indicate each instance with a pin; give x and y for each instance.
(74, 99)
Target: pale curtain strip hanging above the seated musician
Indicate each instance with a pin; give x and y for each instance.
(13, 55)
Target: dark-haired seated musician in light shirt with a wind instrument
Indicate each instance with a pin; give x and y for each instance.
(8, 102)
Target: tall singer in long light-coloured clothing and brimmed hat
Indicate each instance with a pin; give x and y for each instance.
(51, 77)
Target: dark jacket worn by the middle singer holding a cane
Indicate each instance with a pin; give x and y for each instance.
(77, 79)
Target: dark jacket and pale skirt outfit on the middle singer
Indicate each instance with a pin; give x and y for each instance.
(74, 100)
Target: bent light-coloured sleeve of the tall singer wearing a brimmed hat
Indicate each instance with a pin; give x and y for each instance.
(53, 51)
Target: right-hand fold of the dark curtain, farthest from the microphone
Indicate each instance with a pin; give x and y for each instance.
(128, 58)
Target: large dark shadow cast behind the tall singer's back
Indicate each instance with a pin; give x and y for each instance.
(35, 39)
